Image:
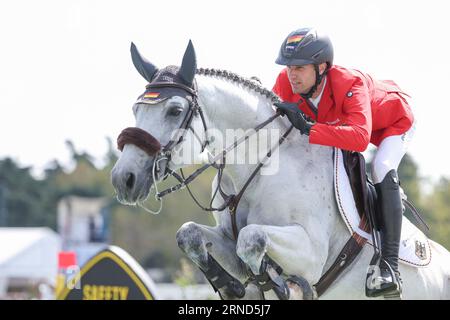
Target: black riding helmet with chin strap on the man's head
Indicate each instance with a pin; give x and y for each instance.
(306, 46)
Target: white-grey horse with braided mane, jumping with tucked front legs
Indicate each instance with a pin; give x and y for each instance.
(290, 217)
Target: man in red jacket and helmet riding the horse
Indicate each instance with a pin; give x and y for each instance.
(350, 109)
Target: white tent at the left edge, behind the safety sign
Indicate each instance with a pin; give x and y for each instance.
(28, 253)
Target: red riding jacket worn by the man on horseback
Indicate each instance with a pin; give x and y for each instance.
(355, 109)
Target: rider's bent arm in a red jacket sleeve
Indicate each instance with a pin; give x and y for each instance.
(354, 130)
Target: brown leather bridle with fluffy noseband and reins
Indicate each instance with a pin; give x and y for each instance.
(152, 147)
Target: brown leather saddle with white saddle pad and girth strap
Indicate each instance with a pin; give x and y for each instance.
(356, 198)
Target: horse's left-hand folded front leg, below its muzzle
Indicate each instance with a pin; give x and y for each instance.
(215, 254)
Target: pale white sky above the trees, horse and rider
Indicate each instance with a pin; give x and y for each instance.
(66, 71)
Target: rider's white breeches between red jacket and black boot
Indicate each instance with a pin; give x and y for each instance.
(389, 154)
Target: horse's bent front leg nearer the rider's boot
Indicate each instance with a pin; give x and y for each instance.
(264, 248)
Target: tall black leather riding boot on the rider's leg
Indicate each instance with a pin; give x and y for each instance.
(390, 220)
